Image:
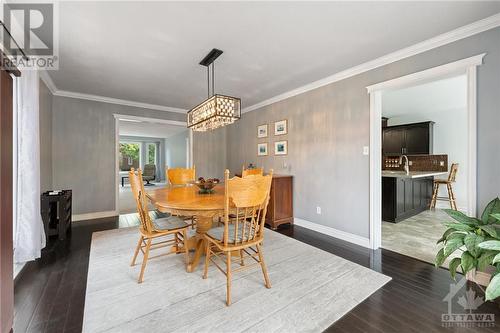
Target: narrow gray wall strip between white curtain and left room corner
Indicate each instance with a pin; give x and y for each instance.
(45, 108)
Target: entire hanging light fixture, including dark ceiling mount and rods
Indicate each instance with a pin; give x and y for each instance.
(217, 110)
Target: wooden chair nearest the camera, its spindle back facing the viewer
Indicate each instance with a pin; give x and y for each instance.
(247, 199)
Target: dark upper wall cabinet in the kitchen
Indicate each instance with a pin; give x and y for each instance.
(410, 139)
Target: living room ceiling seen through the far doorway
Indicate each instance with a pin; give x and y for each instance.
(149, 129)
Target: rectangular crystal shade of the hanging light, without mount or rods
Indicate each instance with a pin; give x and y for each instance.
(215, 112)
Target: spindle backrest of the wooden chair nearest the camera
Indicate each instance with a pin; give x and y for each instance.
(247, 199)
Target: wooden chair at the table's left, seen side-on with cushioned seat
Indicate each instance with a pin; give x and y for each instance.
(173, 228)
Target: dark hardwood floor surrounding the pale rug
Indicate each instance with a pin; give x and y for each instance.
(50, 293)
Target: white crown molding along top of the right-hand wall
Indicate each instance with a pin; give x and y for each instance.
(488, 23)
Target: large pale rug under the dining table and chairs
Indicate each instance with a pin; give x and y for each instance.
(311, 289)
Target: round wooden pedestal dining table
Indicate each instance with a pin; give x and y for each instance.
(187, 201)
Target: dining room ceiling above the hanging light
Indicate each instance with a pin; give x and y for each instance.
(149, 52)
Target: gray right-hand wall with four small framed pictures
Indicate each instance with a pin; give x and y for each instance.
(329, 126)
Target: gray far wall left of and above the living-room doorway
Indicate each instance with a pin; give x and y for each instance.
(83, 145)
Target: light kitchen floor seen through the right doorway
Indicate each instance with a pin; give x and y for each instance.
(416, 236)
